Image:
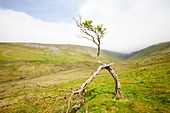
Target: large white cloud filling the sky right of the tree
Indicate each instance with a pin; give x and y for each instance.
(132, 24)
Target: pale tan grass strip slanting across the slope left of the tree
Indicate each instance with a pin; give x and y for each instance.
(46, 80)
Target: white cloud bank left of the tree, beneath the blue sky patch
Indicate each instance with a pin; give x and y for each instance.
(19, 27)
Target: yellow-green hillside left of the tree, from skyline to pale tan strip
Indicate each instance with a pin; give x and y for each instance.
(25, 61)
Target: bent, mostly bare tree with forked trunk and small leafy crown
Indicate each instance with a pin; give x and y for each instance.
(94, 34)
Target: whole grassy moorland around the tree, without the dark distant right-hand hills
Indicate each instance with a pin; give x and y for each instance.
(38, 78)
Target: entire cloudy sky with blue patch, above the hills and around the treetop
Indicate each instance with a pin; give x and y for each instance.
(131, 24)
